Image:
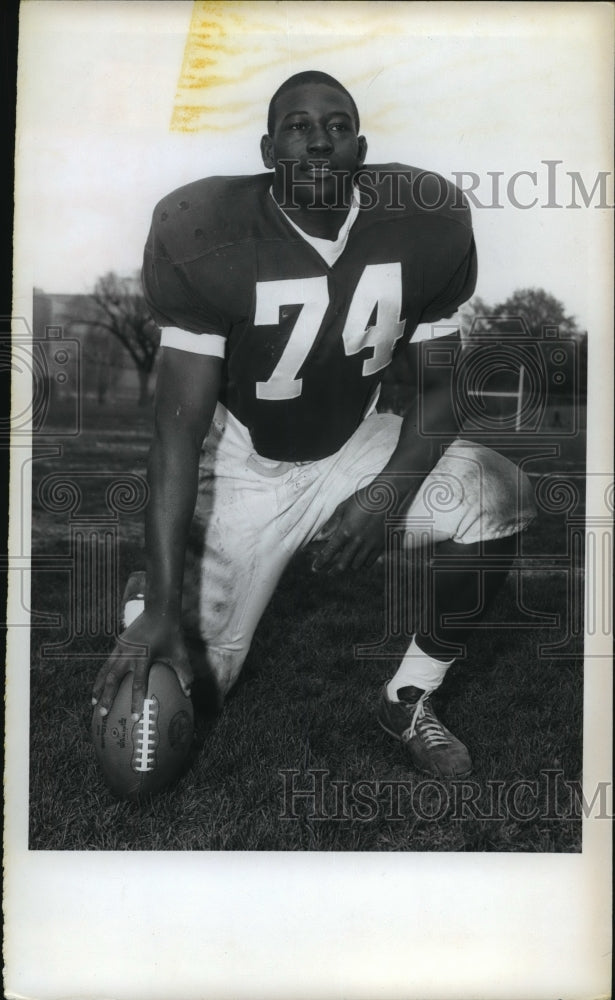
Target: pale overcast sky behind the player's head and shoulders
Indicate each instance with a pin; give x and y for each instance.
(462, 88)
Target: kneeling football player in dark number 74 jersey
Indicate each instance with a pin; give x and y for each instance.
(283, 298)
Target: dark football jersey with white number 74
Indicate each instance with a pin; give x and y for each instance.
(305, 344)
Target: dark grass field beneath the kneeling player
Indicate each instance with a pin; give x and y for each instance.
(302, 716)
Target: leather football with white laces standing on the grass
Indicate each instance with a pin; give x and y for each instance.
(142, 758)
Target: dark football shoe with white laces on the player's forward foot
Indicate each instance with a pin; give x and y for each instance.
(413, 721)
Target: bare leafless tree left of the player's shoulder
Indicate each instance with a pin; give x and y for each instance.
(120, 310)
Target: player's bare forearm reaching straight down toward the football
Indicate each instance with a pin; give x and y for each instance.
(173, 482)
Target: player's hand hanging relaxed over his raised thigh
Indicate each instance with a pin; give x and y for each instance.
(355, 537)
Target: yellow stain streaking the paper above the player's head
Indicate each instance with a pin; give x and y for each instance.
(237, 53)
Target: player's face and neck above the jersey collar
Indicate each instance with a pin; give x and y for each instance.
(314, 150)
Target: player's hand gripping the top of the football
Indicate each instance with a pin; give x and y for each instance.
(147, 640)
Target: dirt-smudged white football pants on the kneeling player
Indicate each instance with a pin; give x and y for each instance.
(256, 513)
